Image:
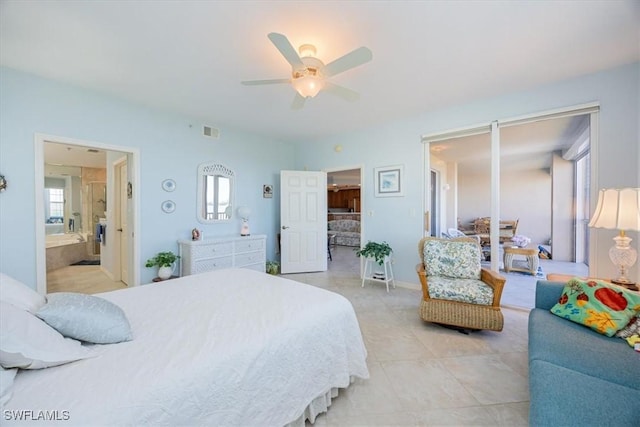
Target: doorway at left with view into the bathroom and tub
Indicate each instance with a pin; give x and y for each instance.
(87, 200)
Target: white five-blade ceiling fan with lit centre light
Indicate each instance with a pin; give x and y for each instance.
(309, 74)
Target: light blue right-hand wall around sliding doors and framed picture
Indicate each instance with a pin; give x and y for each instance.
(399, 220)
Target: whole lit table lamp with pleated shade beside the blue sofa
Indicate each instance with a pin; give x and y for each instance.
(619, 209)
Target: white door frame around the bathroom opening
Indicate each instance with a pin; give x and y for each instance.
(133, 153)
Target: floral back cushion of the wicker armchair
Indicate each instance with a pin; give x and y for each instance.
(452, 259)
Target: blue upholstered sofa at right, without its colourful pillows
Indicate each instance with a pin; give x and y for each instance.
(578, 377)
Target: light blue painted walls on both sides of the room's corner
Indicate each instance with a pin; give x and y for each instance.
(170, 148)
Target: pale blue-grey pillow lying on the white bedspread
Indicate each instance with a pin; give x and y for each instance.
(86, 318)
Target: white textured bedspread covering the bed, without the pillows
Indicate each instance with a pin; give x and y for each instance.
(227, 348)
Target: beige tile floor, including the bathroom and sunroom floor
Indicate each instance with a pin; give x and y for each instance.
(421, 374)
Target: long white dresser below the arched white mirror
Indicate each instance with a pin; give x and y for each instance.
(223, 252)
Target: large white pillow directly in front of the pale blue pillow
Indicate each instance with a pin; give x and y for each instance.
(29, 343)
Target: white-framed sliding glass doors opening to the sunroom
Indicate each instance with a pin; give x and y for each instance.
(504, 171)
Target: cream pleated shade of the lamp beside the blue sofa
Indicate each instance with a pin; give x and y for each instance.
(617, 209)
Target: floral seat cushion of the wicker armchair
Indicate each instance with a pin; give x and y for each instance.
(471, 291)
